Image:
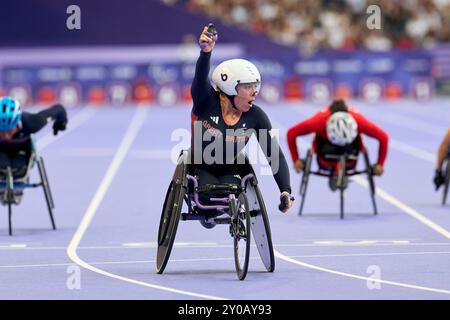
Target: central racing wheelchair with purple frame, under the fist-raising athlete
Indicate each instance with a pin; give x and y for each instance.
(239, 206)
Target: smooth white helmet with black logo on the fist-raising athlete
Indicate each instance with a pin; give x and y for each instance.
(230, 73)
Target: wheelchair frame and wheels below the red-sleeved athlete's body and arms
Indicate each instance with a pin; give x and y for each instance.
(340, 177)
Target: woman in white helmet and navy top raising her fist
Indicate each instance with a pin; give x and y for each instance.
(224, 115)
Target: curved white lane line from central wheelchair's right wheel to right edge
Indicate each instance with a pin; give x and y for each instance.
(350, 275)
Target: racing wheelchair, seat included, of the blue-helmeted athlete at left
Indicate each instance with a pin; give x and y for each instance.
(14, 181)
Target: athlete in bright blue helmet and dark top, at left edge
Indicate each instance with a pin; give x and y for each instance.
(16, 127)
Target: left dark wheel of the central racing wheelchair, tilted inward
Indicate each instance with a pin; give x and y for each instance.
(170, 217)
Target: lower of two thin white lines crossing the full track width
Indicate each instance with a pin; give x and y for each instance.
(229, 259)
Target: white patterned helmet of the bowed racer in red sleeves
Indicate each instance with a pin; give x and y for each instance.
(342, 128)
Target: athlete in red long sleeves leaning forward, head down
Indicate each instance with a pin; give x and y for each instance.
(338, 129)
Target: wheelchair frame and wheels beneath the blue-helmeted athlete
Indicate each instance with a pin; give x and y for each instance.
(11, 188)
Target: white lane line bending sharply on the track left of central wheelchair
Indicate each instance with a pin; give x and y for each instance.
(130, 135)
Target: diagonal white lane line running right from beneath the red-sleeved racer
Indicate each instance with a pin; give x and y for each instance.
(405, 208)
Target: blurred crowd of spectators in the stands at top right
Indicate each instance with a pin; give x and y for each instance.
(334, 24)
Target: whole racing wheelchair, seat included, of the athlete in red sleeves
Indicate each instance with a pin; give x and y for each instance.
(337, 164)
